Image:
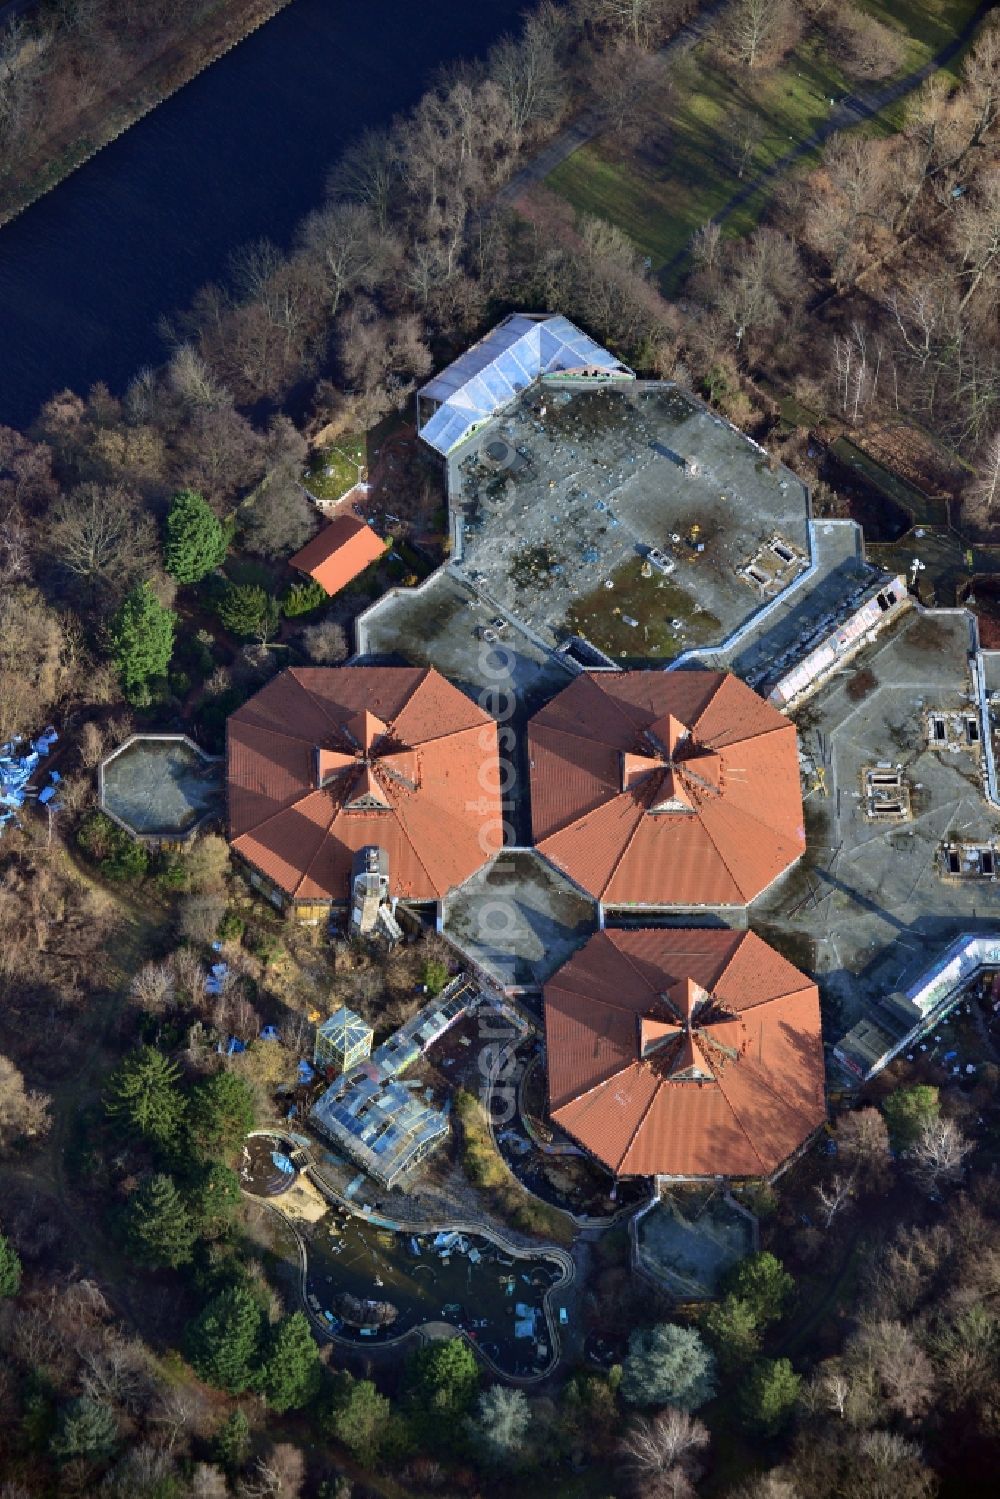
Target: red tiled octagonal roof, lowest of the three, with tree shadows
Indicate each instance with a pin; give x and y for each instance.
(684, 1053)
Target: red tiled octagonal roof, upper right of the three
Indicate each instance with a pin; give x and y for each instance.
(666, 788)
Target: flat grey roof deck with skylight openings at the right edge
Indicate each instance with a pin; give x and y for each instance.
(867, 909)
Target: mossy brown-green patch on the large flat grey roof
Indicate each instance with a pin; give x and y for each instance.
(653, 602)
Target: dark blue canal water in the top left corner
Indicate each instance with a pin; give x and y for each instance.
(239, 154)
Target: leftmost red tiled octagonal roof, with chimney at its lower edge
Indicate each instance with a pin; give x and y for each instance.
(326, 761)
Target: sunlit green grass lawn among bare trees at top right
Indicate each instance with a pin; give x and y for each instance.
(668, 187)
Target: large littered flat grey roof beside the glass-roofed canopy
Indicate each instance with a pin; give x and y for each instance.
(599, 479)
